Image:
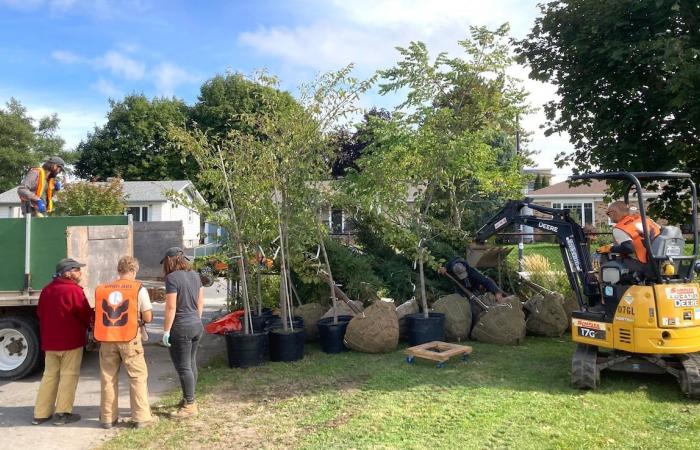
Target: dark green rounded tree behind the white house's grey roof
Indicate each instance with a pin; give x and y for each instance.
(134, 143)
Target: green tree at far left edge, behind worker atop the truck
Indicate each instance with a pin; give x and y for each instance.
(24, 144)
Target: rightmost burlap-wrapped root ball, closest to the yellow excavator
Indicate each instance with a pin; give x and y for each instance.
(547, 316)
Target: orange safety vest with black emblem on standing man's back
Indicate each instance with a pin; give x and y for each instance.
(116, 311)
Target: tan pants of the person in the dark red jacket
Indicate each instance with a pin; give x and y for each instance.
(59, 382)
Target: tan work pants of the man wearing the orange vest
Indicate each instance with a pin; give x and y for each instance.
(112, 354)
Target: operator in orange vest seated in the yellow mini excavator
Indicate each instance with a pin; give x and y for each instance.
(628, 234)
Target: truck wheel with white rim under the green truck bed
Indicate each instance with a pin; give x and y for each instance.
(19, 346)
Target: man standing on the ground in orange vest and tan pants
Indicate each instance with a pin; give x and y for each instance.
(121, 308)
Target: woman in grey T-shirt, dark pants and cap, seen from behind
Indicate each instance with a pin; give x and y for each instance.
(182, 325)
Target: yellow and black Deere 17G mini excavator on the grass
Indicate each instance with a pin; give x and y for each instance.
(629, 320)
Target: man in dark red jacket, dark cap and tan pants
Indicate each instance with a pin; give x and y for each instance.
(64, 316)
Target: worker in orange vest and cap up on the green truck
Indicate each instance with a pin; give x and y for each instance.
(39, 185)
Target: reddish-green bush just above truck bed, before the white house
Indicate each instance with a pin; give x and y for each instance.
(91, 199)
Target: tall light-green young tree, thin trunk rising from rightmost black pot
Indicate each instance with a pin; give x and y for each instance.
(443, 146)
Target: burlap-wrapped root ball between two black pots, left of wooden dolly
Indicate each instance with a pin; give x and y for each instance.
(374, 331)
